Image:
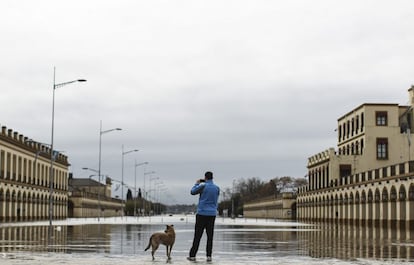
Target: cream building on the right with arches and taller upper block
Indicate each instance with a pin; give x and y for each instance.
(370, 176)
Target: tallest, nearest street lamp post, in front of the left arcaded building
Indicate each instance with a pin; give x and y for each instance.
(52, 153)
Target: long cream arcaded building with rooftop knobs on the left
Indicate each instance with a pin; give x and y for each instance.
(26, 188)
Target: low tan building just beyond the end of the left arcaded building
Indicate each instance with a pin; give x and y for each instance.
(90, 198)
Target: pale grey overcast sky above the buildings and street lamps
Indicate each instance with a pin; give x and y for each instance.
(240, 88)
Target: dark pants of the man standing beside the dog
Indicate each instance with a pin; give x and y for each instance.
(207, 223)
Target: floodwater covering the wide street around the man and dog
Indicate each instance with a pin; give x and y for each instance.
(235, 242)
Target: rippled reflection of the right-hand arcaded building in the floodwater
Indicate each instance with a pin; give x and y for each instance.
(355, 242)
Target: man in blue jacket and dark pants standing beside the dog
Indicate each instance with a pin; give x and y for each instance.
(206, 213)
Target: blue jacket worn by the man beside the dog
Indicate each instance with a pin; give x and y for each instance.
(209, 193)
